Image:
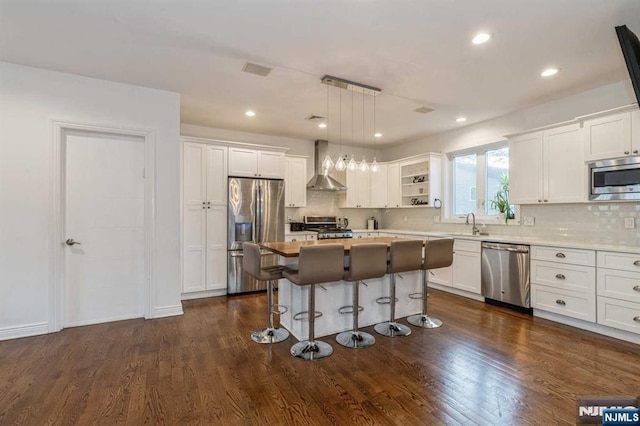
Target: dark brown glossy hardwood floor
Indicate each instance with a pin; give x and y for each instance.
(486, 365)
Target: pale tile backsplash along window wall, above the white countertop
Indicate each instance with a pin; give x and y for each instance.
(602, 223)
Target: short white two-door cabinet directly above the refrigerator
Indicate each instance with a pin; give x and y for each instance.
(256, 163)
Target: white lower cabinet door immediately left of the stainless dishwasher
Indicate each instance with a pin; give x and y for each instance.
(466, 265)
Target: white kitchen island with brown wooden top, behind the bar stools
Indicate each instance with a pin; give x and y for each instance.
(330, 297)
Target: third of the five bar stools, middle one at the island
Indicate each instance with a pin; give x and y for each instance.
(365, 261)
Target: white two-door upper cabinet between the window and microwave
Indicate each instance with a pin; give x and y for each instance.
(547, 167)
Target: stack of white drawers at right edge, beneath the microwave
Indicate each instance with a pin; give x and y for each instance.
(619, 290)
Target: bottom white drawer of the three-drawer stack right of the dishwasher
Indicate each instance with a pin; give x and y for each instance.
(563, 302)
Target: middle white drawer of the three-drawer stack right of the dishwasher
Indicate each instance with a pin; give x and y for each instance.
(565, 277)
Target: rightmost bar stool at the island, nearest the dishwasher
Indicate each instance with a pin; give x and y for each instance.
(437, 254)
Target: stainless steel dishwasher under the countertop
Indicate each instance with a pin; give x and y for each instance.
(505, 273)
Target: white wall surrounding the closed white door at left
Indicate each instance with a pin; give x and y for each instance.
(29, 99)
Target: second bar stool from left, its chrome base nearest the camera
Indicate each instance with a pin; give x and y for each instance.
(316, 265)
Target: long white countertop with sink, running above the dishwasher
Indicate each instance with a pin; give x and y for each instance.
(584, 245)
